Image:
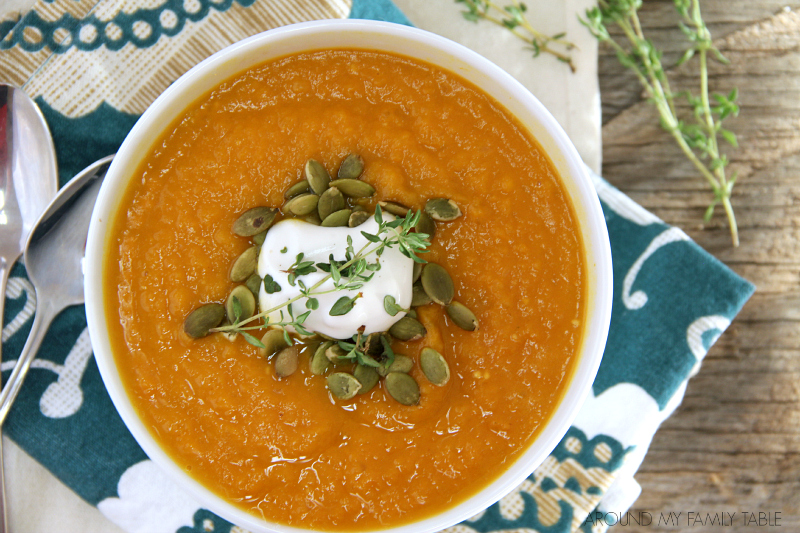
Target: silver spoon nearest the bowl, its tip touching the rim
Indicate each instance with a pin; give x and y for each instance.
(53, 258)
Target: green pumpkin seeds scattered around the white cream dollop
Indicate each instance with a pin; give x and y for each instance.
(321, 200)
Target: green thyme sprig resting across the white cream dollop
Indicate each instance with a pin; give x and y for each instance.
(350, 274)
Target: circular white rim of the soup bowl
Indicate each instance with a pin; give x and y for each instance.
(590, 217)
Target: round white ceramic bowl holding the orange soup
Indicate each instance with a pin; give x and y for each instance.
(390, 38)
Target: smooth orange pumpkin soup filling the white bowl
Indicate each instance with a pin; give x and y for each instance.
(284, 448)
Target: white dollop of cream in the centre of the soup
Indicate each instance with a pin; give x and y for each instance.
(290, 237)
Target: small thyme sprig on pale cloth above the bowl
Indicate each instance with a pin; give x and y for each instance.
(512, 17)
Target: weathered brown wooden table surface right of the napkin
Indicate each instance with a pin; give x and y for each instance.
(734, 444)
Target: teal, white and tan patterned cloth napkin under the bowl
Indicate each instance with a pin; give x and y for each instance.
(94, 67)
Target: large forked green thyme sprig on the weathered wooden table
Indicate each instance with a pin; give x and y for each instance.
(697, 137)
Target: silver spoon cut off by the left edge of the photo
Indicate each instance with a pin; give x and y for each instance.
(28, 181)
